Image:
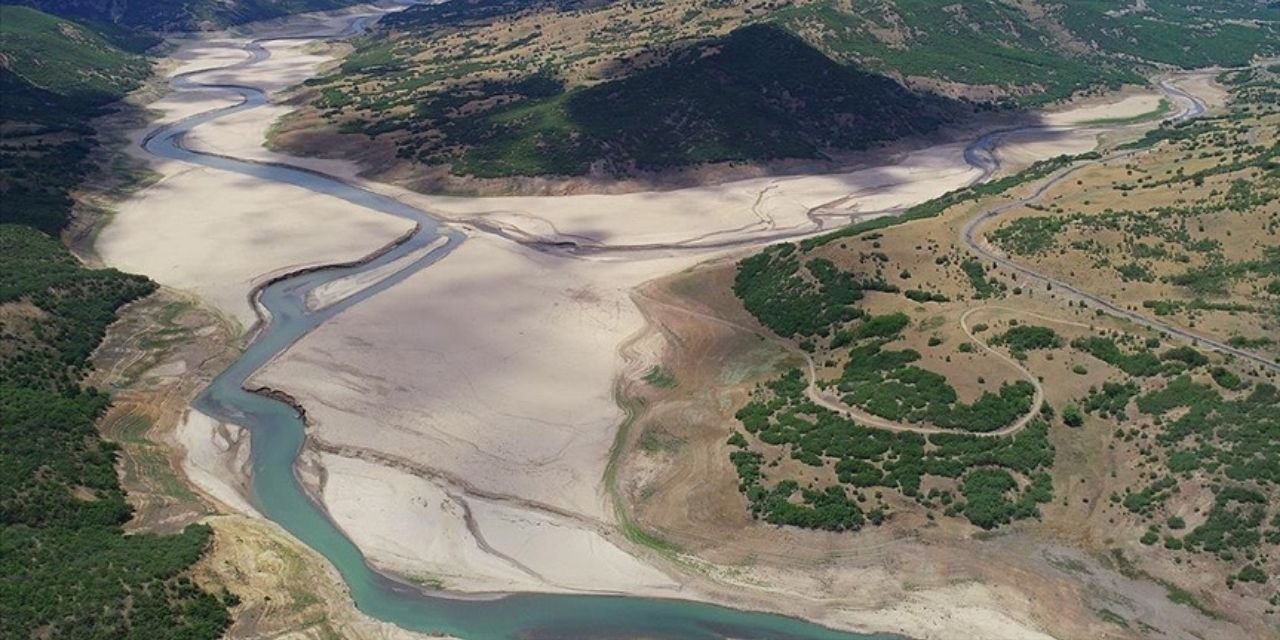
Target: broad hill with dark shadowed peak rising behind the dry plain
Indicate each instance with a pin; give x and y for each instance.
(573, 88)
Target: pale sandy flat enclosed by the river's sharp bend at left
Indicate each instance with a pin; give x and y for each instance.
(218, 235)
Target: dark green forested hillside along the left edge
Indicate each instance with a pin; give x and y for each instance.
(70, 569)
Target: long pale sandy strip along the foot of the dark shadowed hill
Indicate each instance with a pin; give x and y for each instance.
(758, 208)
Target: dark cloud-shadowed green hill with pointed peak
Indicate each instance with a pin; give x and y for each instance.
(756, 94)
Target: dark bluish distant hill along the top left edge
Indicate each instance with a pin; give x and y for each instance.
(179, 15)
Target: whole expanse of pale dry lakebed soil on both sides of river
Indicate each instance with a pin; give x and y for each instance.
(486, 385)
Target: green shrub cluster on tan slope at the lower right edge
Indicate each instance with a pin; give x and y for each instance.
(1228, 442)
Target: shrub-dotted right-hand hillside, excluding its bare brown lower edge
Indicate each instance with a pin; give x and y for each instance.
(1148, 446)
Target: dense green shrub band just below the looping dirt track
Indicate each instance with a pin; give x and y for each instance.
(781, 419)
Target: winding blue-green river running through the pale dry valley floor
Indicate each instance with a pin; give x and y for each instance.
(278, 435)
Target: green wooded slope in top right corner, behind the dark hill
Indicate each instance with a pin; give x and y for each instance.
(1035, 52)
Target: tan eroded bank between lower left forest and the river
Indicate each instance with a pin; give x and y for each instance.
(154, 360)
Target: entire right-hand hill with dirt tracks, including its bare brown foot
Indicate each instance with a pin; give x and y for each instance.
(1104, 381)
